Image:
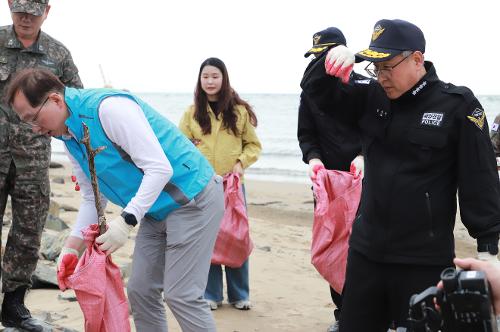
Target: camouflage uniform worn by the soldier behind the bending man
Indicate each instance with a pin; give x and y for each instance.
(25, 156)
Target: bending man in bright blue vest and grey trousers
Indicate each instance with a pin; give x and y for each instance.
(151, 170)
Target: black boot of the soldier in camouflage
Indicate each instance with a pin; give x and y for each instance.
(15, 313)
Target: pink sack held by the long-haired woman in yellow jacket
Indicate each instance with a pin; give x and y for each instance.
(233, 245)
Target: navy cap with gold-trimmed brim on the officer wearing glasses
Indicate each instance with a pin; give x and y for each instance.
(390, 38)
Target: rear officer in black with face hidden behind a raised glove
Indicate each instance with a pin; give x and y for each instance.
(326, 130)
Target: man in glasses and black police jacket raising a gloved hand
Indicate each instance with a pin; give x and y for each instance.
(423, 140)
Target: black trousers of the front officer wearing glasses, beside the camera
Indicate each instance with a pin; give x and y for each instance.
(376, 294)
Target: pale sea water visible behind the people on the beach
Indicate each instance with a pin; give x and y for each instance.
(281, 158)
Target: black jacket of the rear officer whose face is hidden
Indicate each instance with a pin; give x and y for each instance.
(326, 128)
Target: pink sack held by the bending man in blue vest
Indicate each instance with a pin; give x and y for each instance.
(99, 288)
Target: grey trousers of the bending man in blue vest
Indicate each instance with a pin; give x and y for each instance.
(174, 257)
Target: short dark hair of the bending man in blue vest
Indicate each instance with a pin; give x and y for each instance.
(35, 84)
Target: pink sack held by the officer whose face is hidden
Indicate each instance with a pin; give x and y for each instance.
(337, 198)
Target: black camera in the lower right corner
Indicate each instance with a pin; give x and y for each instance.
(463, 305)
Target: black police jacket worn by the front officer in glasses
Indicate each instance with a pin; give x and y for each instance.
(419, 150)
